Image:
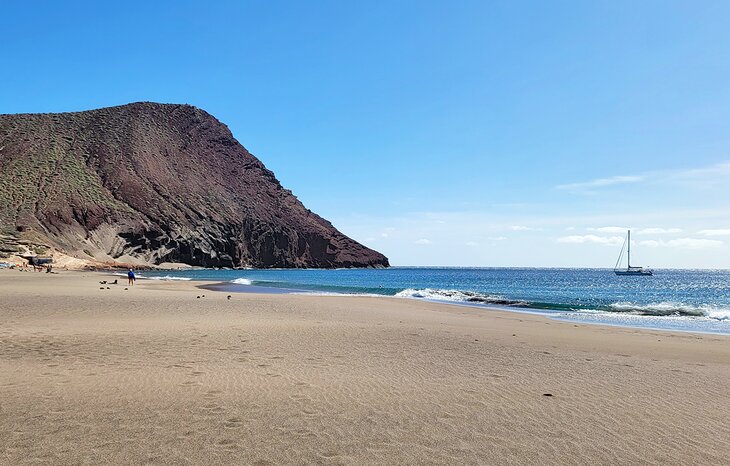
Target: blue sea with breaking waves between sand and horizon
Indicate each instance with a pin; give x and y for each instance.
(689, 300)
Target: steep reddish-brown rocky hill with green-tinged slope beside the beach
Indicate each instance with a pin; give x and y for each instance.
(158, 183)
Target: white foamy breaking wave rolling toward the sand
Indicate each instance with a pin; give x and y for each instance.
(665, 308)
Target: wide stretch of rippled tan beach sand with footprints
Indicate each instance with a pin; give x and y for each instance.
(155, 375)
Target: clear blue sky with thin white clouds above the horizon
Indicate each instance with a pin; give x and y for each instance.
(463, 133)
